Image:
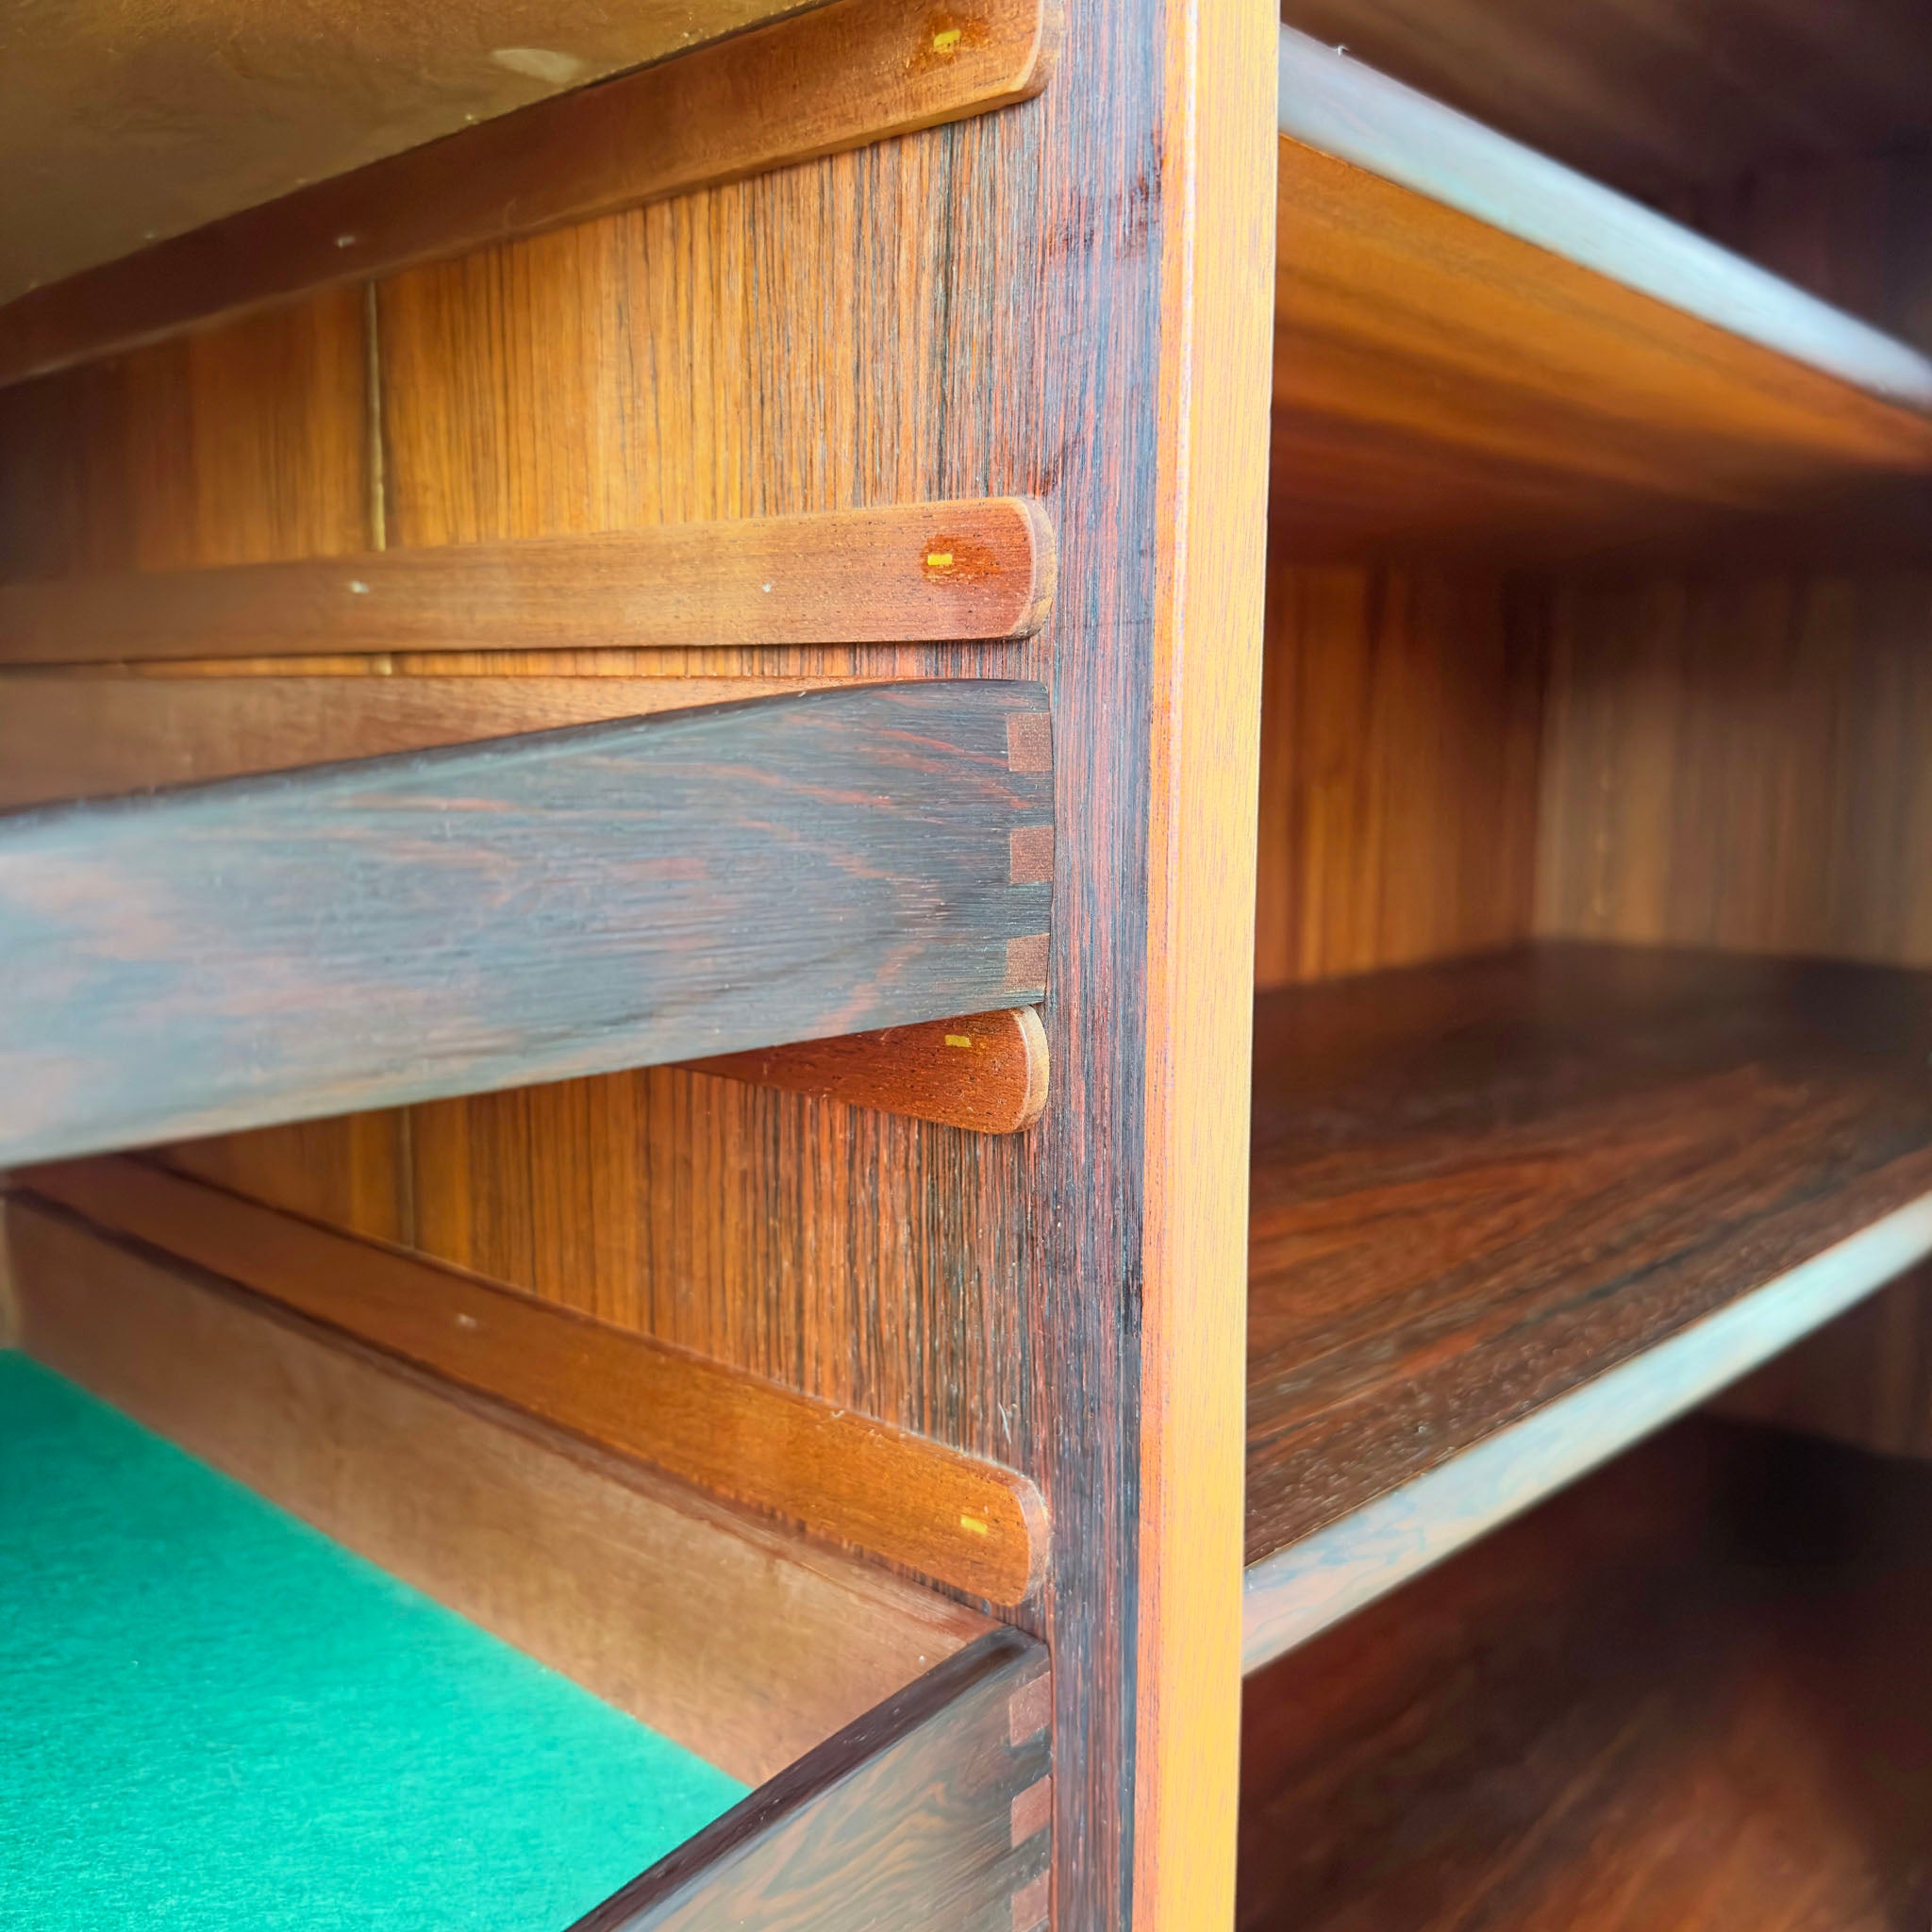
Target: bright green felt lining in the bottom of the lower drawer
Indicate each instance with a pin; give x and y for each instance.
(212, 1717)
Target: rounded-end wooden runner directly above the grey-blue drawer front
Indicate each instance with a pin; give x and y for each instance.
(907, 575)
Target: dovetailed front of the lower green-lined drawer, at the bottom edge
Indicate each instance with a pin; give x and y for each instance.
(921, 1817)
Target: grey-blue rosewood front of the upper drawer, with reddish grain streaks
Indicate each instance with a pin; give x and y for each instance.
(395, 930)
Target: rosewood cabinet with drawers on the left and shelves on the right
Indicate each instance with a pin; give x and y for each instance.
(1025, 903)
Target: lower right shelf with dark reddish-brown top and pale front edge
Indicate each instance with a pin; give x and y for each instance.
(1512, 1214)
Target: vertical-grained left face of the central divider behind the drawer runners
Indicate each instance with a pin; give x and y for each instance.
(975, 310)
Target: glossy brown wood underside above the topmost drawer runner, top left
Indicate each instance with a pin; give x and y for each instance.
(136, 123)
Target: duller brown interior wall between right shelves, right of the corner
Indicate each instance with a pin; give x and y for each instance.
(1740, 762)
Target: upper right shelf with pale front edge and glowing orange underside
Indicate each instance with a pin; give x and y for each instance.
(1479, 347)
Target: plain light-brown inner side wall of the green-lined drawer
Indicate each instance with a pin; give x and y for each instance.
(724, 1634)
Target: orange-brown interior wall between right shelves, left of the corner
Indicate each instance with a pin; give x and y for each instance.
(1400, 754)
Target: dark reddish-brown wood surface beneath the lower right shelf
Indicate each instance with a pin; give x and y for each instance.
(1688, 1693)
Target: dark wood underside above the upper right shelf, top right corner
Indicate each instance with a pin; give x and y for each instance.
(1662, 99)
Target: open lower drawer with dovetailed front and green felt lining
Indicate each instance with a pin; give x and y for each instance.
(895, 1744)
